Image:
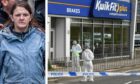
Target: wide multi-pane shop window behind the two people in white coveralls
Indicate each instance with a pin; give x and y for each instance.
(109, 38)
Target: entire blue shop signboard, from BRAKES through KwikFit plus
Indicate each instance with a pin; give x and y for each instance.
(120, 9)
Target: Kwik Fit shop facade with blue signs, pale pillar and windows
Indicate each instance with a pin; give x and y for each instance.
(107, 25)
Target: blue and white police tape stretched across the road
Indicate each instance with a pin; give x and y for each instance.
(74, 74)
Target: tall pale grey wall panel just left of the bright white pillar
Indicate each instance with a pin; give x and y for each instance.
(60, 35)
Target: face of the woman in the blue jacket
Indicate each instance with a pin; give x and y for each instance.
(21, 18)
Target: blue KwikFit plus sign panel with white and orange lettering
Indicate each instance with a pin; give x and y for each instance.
(112, 9)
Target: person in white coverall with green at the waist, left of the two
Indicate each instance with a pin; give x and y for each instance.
(76, 49)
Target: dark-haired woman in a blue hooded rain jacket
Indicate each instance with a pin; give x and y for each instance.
(22, 49)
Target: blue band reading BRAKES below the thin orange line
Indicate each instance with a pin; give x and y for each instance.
(60, 9)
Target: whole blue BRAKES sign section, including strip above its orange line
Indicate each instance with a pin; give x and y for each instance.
(71, 7)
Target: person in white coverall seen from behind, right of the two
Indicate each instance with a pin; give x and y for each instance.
(87, 57)
